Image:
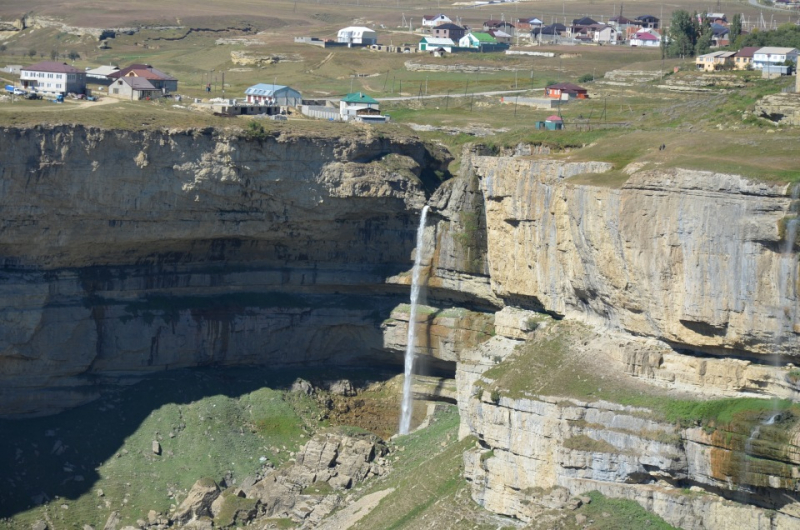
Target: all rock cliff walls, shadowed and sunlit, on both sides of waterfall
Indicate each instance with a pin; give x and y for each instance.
(128, 253)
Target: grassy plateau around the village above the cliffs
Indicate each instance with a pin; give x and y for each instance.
(621, 124)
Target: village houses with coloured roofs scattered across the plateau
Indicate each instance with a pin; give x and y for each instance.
(439, 37)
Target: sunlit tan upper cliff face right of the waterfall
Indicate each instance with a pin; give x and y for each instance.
(690, 257)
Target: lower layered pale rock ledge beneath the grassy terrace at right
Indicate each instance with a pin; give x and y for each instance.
(741, 474)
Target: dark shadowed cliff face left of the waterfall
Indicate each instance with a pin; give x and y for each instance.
(126, 252)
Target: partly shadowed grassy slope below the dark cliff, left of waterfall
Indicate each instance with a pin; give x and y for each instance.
(209, 423)
